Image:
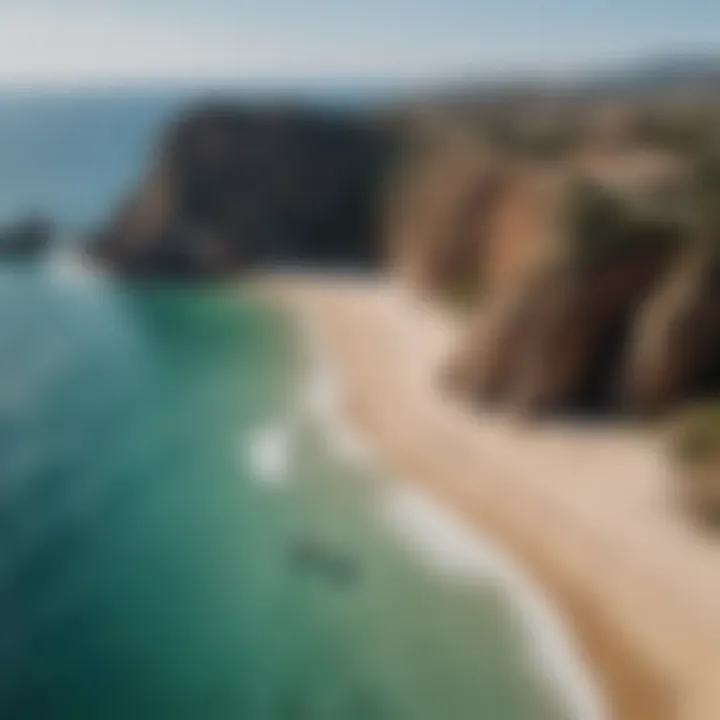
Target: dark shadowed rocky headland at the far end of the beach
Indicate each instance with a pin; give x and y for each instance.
(233, 187)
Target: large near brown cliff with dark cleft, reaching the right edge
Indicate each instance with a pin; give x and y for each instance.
(617, 314)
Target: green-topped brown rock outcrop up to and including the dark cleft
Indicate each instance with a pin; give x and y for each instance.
(560, 340)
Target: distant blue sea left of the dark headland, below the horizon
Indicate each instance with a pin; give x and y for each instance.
(72, 156)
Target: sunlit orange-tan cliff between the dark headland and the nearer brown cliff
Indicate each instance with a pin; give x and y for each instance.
(466, 219)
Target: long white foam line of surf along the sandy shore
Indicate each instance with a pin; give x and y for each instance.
(448, 546)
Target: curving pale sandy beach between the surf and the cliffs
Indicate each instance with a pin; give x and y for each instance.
(587, 512)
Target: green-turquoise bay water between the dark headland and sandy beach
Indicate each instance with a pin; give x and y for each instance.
(181, 540)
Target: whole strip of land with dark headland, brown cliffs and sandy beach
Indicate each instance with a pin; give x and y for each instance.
(520, 300)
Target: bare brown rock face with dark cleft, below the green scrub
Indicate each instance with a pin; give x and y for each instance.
(559, 343)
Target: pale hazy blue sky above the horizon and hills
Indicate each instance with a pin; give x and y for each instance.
(50, 41)
